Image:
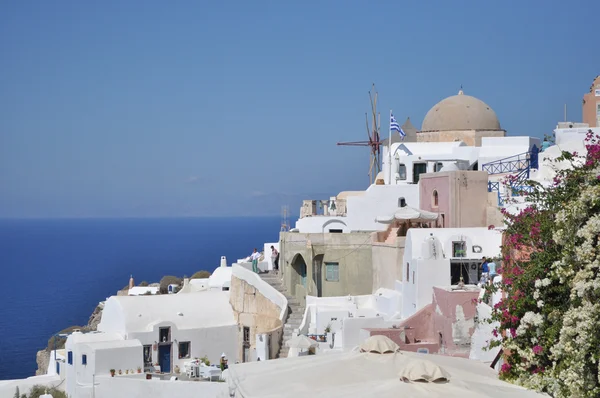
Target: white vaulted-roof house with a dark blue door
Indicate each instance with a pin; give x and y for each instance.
(174, 328)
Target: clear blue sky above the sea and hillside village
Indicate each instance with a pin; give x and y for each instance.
(147, 108)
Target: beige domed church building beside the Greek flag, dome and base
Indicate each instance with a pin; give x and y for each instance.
(460, 118)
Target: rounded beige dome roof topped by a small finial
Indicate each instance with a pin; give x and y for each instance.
(460, 112)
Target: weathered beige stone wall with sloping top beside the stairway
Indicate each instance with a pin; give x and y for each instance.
(255, 311)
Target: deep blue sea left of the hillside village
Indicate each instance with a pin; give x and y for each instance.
(55, 271)
